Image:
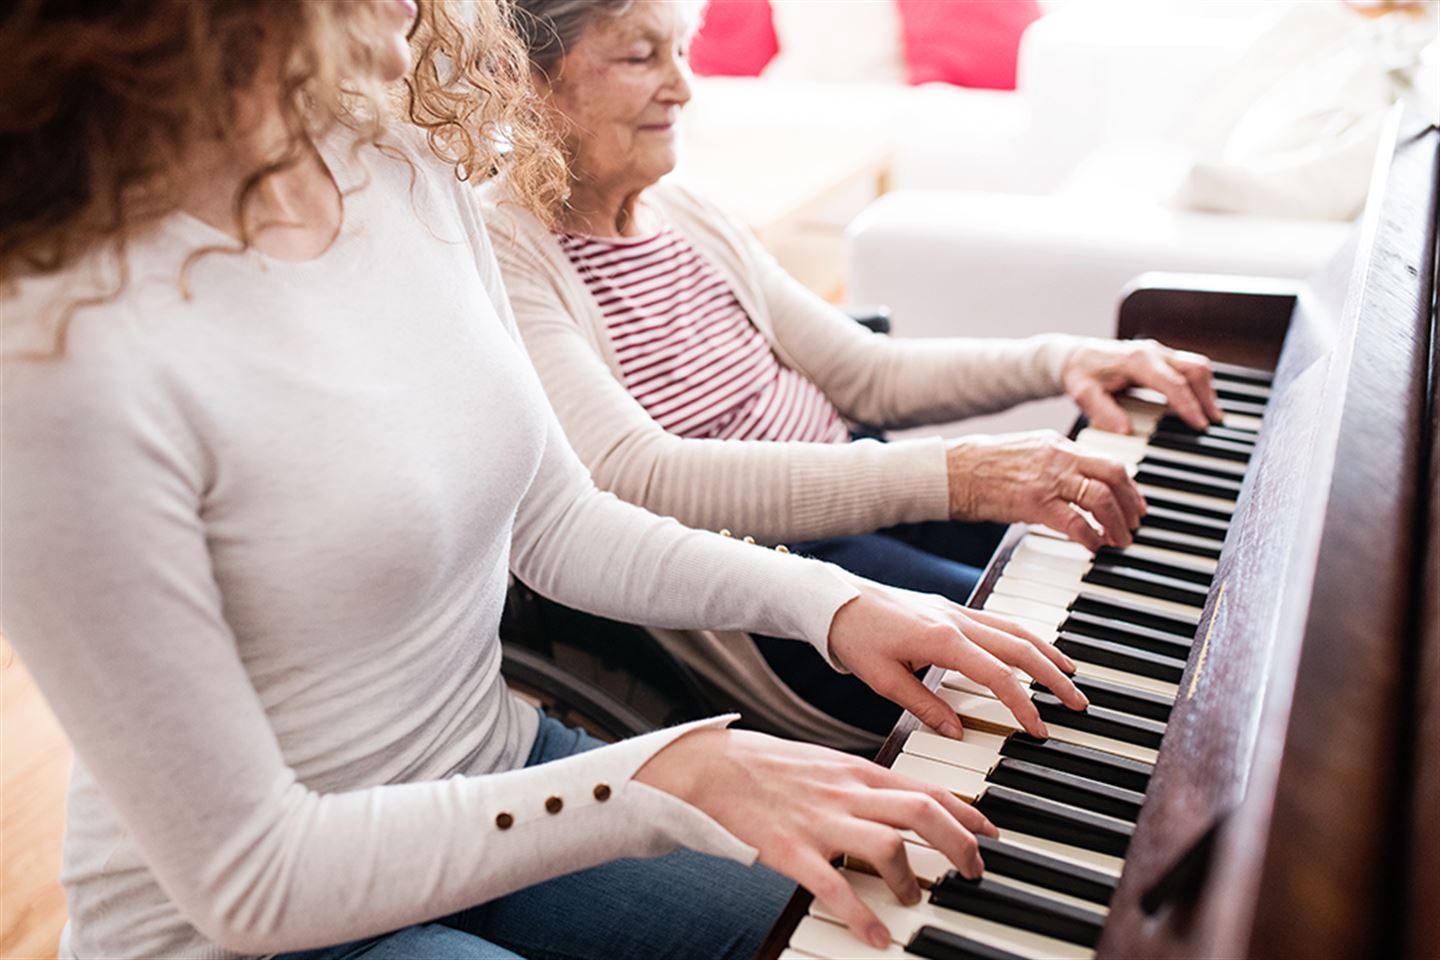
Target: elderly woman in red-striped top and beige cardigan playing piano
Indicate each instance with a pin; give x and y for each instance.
(698, 379)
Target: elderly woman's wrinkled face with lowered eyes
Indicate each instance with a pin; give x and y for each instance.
(621, 89)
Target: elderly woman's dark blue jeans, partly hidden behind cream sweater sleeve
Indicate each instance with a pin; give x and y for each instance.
(932, 558)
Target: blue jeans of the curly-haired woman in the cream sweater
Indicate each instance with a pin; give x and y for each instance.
(680, 906)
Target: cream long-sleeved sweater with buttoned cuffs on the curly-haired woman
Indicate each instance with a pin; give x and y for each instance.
(256, 548)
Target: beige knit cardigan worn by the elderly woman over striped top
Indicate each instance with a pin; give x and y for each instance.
(777, 493)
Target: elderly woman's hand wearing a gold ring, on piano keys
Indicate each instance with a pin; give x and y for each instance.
(1042, 479)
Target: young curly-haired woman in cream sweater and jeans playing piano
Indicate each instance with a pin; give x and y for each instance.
(270, 450)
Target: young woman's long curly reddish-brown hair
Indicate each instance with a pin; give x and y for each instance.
(104, 104)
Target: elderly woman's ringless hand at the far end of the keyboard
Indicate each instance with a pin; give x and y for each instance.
(1099, 369)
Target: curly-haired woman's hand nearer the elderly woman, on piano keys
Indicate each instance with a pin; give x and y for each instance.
(885, 635)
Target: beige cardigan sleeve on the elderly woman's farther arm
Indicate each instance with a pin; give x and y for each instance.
(883, 381)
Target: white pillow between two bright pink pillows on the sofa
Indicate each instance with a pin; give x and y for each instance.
(837, 41)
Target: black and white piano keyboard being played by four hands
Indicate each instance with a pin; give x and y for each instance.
(1066, 807)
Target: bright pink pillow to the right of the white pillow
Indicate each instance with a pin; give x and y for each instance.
(966, 42)
